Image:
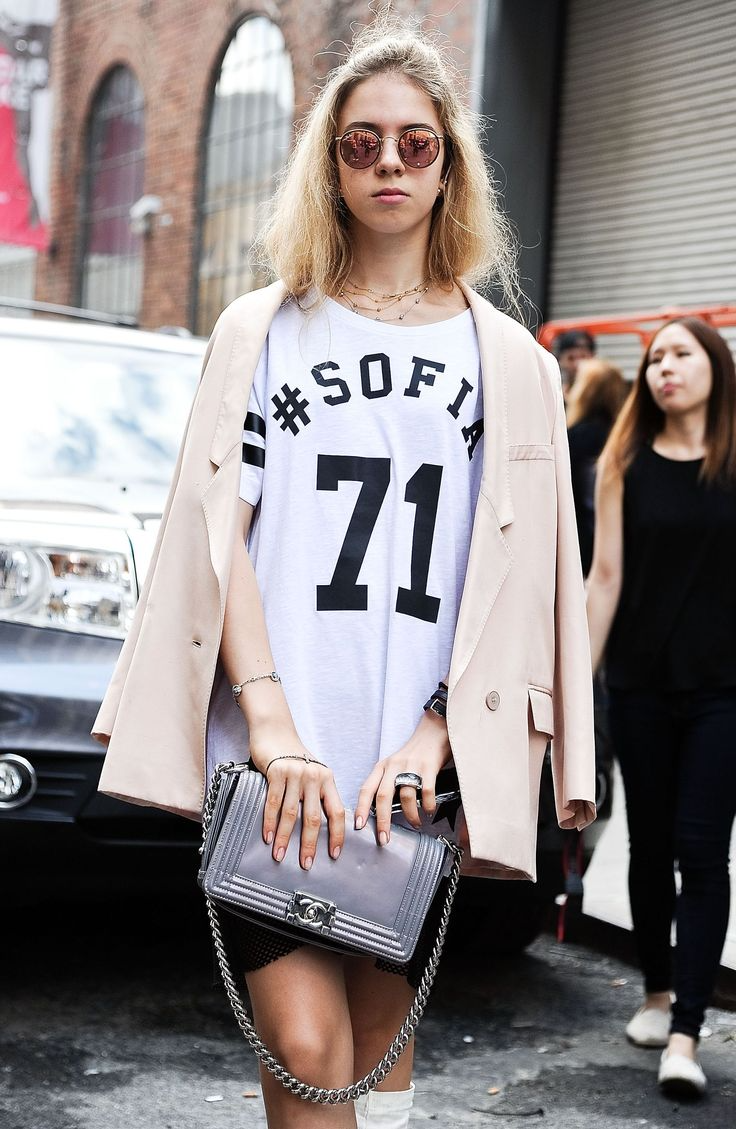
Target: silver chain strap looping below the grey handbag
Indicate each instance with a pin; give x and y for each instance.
(295, 1086)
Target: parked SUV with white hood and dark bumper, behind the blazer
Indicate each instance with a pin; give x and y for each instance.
(91, 424)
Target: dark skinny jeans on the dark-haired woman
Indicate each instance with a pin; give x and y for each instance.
(678, 756)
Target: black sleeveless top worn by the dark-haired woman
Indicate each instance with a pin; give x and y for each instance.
(676, 626)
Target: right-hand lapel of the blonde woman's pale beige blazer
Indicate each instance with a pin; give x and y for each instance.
(490, 557)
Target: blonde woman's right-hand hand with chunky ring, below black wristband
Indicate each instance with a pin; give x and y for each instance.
(425, 754)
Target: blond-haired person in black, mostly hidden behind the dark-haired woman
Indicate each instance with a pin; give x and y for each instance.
(594, 404)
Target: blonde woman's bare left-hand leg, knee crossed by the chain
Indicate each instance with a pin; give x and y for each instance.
(301, 1012)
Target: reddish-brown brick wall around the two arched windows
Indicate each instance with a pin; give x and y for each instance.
(176, 49)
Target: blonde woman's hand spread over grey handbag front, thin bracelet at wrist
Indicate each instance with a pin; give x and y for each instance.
(294, 782)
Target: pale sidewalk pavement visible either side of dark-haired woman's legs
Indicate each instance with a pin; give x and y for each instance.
(607, 896)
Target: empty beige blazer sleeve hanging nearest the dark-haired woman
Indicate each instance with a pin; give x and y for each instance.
(573, 746)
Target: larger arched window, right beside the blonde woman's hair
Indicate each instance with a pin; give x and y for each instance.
(248, 138)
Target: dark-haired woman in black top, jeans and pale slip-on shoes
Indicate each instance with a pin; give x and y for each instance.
(662, 602)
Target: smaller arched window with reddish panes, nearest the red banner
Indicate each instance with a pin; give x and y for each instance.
(111, 262)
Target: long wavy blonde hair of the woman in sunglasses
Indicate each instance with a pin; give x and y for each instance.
(306, 241)
